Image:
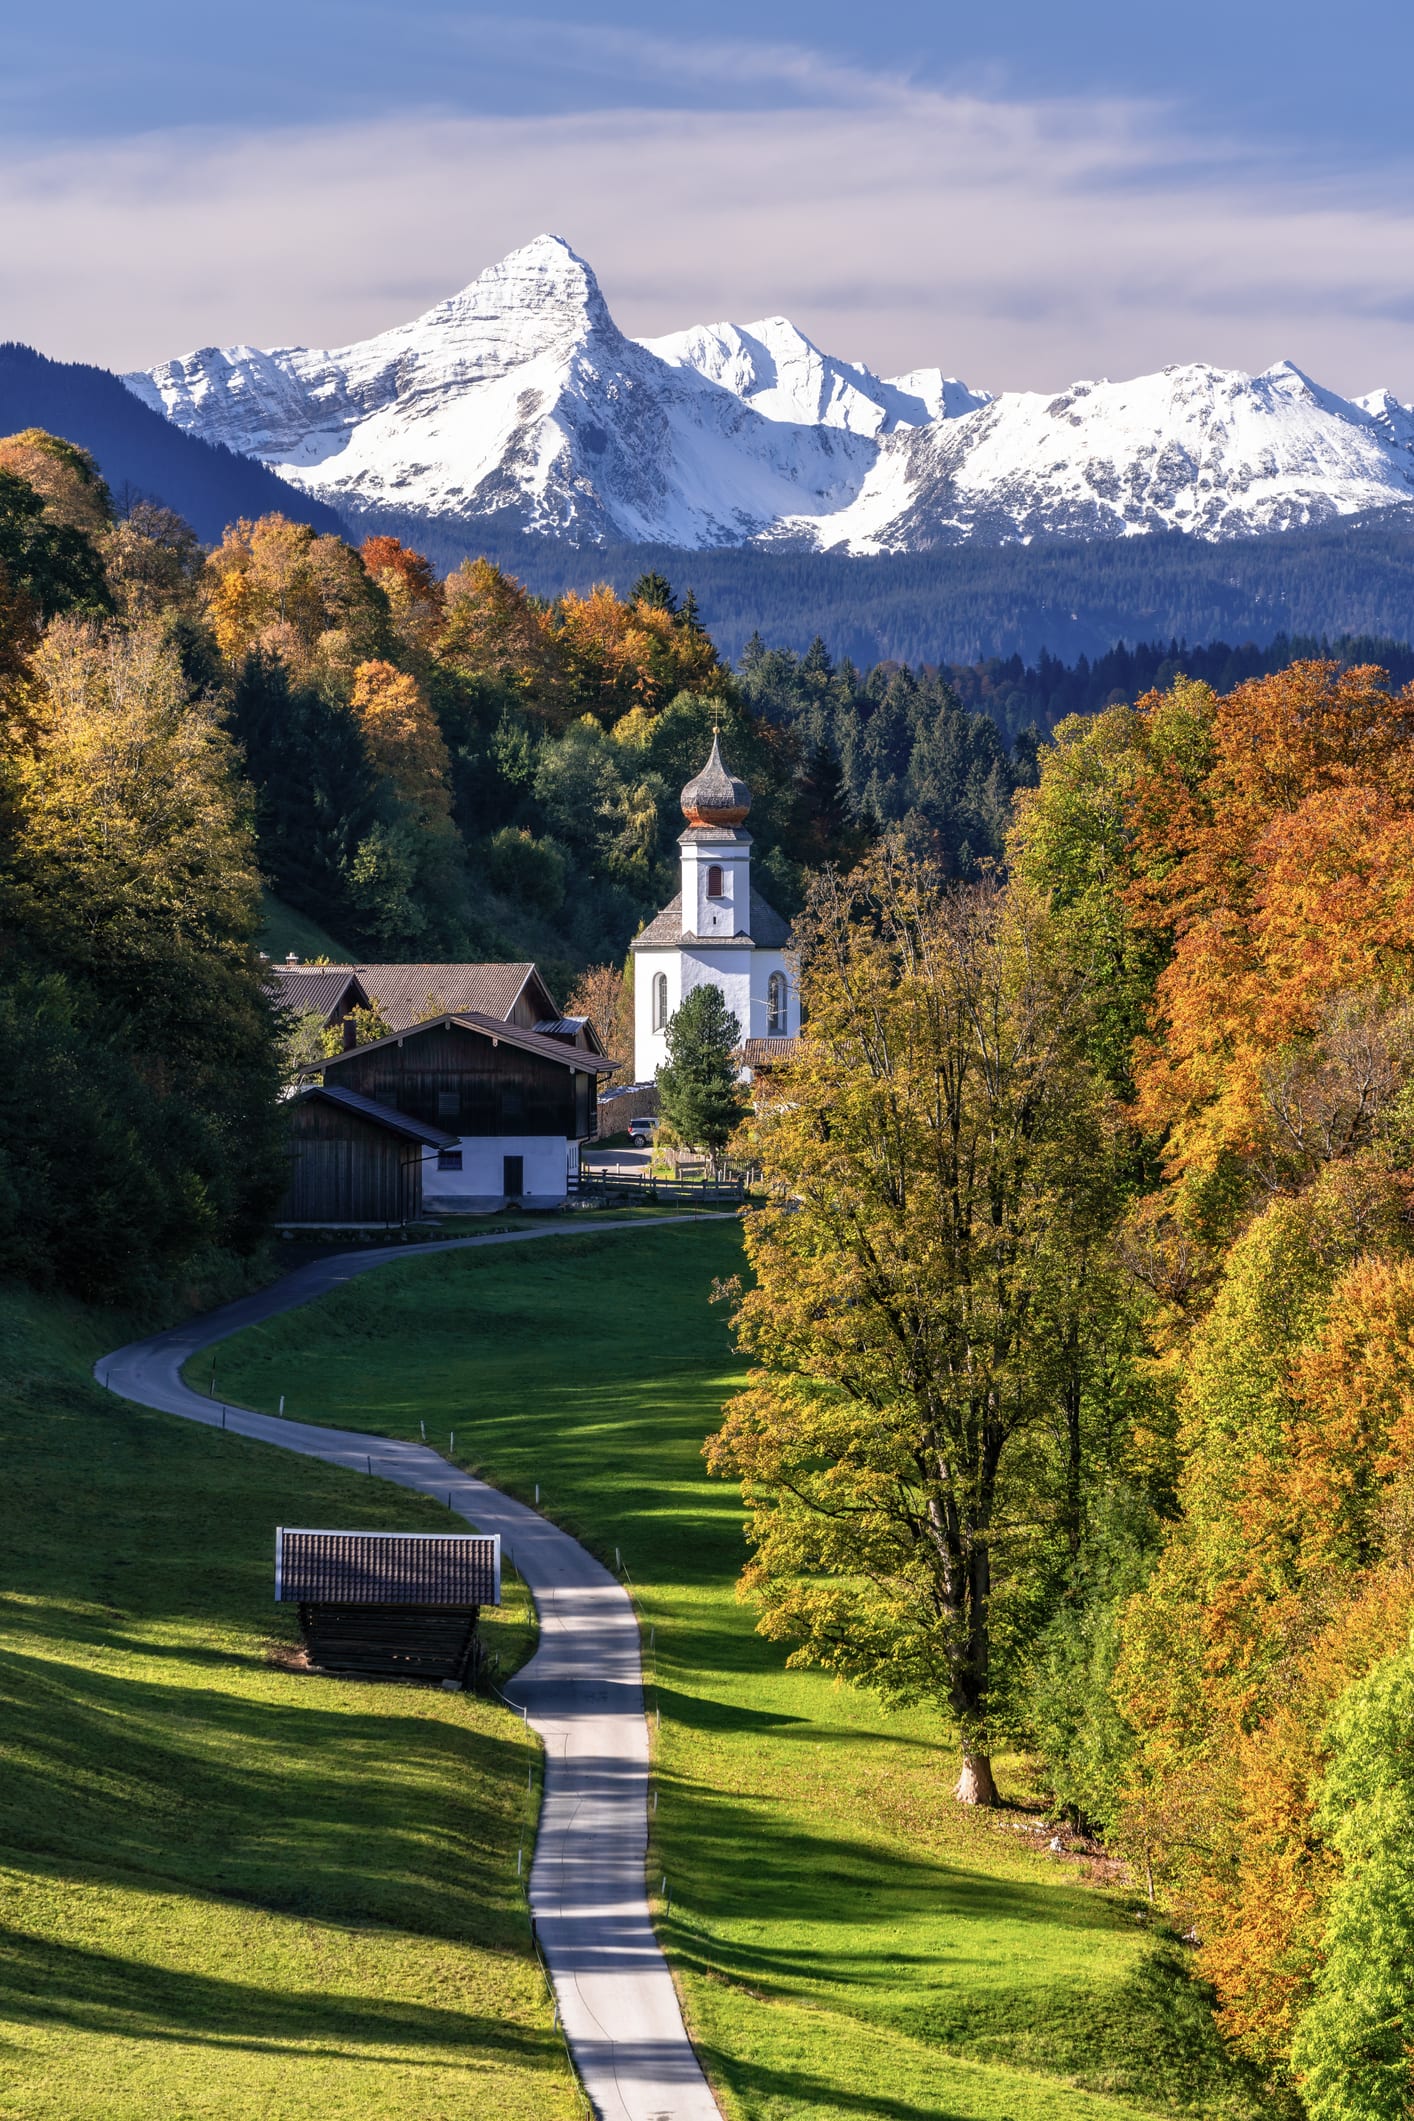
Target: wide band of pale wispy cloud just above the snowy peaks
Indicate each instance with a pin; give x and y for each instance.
(1014, 243)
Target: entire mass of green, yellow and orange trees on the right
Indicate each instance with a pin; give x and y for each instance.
(1082, 1331)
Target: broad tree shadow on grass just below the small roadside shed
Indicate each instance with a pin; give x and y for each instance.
(296, 1804)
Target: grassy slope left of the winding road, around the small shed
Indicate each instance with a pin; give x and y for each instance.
(228, 1889)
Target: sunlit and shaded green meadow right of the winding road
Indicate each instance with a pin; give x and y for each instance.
(847, 1942)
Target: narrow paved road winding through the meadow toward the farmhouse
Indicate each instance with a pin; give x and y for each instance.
(582, 1691)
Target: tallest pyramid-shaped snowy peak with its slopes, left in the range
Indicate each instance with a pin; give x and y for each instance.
(518, 398)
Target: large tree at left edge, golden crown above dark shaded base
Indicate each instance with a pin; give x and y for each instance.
(141, 1040)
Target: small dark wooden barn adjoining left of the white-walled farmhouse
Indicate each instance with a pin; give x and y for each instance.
(355, 1161)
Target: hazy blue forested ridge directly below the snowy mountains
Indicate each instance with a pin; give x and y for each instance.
(968, 603)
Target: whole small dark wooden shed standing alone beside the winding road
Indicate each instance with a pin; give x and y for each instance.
(389, 1605)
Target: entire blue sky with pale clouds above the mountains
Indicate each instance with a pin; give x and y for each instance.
(1021, 194)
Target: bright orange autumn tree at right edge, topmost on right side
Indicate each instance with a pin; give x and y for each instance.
(1277, 871)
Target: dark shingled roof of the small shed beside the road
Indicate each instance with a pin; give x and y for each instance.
(387, 1568)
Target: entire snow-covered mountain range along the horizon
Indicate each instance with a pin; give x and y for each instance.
(520, 400)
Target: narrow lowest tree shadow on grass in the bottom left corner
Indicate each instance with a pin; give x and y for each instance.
(48, 1982)
